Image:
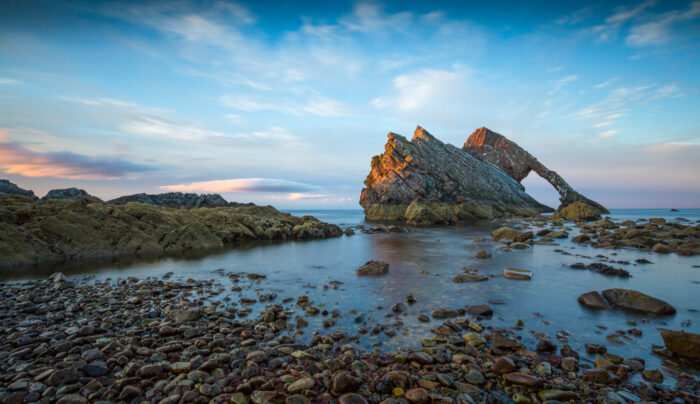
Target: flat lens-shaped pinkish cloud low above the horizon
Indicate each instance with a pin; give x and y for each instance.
(246, 185)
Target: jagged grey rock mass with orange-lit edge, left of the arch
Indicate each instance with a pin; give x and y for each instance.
(425, 181)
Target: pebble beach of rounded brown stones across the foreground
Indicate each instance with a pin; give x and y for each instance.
(165, 341)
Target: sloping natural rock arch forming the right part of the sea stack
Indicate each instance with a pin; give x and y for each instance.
(496, 149)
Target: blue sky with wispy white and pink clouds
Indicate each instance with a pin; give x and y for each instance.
(286, 103)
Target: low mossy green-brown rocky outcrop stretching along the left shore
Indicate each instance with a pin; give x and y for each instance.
(58, 231)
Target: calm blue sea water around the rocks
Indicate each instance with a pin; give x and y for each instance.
(423, 262)
